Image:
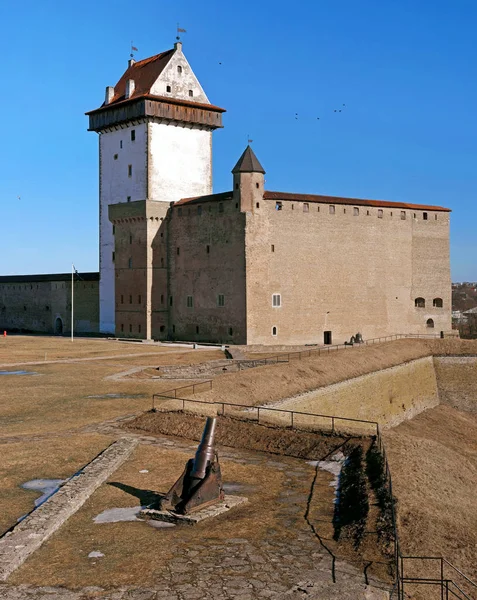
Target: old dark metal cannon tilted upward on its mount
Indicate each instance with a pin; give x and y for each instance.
(200, 484)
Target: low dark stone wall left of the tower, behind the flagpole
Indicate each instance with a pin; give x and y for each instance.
(42, 303)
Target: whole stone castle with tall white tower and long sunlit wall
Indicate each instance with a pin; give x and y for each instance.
(245, 266)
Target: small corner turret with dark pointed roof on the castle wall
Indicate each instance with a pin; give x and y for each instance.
(248, 180)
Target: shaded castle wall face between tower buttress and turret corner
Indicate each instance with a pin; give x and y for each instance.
(207, 259)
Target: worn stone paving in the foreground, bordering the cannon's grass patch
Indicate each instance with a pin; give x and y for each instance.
(238, 568)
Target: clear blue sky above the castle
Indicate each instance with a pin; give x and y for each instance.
(404, 69)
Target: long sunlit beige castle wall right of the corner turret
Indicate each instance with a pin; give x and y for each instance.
(345, 272)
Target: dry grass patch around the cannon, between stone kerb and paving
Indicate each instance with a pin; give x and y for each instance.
(134, 552)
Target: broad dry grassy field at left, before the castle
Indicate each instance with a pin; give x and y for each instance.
(43, 415)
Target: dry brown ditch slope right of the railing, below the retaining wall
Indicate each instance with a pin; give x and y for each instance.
(433, 461)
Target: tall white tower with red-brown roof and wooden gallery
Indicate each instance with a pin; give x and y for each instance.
(155, 143)
